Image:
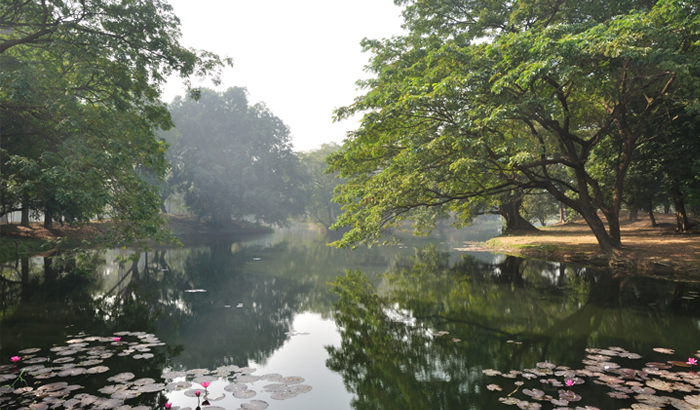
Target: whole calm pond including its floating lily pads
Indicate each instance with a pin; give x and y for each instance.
(281, 321)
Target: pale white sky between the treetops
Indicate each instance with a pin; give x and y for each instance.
(301, 58)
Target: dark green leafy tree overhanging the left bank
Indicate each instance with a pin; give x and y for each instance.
(81, 104)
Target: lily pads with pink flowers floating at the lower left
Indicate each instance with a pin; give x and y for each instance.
(29, 381)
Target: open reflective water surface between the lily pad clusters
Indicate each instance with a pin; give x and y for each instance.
(232, 303)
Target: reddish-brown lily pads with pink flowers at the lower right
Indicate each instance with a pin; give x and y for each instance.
(643, 389)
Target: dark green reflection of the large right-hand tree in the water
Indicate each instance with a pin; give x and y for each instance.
(505, 316)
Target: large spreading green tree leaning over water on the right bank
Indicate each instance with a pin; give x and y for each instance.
(482, 99)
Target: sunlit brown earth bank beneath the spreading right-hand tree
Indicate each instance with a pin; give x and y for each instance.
(646, 250)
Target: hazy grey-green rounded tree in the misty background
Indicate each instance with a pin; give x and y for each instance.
(233, 160)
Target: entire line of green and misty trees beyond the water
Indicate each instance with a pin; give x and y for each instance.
(509, 108)
